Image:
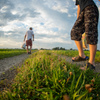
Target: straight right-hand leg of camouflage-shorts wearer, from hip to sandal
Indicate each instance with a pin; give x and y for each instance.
(91, 23)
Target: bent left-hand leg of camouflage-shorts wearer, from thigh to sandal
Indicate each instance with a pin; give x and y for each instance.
(76, 35)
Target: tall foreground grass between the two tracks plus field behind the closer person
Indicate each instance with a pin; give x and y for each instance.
(45, 76)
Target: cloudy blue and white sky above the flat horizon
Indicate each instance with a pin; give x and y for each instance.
(51, 20)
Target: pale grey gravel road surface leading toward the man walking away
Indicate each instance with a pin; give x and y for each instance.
(8, 63)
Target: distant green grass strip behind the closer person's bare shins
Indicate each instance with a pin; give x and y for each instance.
(72, 53)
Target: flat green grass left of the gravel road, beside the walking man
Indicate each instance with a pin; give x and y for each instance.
(5, 53)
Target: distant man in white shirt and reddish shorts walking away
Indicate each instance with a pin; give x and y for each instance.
(28, 36)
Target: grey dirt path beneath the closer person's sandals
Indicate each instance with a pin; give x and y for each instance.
(83, 63)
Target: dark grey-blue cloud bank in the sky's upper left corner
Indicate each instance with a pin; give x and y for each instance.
(10, 12)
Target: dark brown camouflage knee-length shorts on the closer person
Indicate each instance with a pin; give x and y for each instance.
(87, 22)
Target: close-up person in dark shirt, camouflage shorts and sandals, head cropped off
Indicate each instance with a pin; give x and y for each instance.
(87, 21)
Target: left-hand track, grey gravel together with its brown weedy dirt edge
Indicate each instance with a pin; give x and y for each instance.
(8, 69)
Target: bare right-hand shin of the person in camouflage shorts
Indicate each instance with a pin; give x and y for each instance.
(93, 49)
